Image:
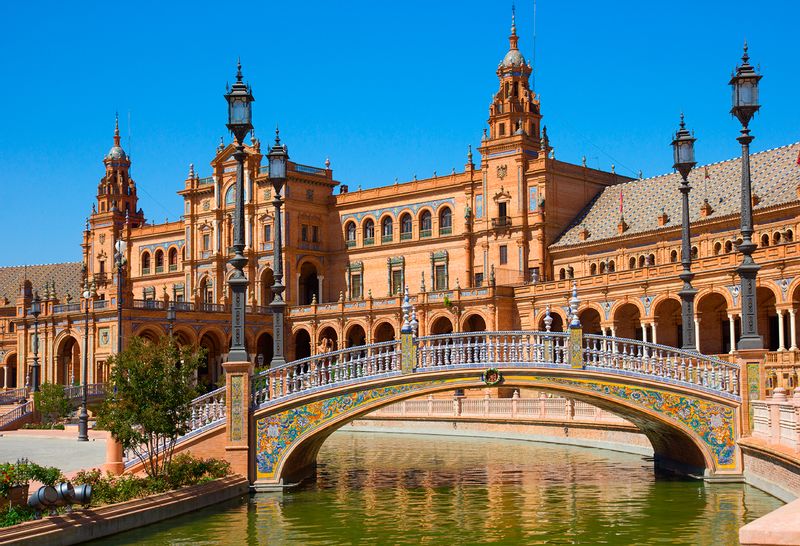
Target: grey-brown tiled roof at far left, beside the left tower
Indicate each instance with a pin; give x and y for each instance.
(67, 276)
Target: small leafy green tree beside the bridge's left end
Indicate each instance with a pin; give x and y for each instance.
(151, 388)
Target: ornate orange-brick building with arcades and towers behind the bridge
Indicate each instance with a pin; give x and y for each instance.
(490, 247)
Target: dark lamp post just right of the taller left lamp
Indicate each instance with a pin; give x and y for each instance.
(278, 157)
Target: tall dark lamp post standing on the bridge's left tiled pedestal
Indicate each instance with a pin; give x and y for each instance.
(240, 101)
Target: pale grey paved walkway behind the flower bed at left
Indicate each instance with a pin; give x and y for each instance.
(59, 448)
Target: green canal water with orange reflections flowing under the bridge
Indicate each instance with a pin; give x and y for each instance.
(410, 489)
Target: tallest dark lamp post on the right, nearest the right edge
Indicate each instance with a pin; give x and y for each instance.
(745, 104)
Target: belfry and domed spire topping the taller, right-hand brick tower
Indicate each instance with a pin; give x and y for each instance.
(515, 108)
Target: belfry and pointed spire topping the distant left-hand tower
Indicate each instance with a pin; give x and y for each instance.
(116, 192)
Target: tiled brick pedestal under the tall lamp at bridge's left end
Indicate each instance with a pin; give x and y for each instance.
(237, 403)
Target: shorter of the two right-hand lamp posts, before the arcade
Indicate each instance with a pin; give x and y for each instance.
(683, 151)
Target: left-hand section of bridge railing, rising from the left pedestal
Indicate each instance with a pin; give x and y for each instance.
(326, 369)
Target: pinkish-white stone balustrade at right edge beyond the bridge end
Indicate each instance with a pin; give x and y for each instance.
(777, 419)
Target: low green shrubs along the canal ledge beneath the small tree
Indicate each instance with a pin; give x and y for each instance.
(185, 470)
